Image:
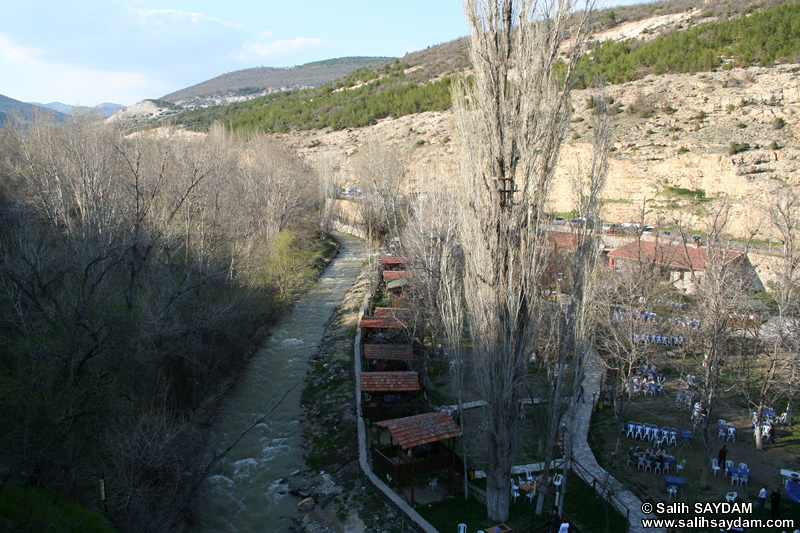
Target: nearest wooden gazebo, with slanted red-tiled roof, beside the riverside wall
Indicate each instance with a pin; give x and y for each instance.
(419, 446)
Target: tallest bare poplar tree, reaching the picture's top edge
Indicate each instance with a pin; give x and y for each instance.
(511, 116)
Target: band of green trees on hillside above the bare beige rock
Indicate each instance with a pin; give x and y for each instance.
(421, 81)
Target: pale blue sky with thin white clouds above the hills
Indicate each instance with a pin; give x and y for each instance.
(87, 52)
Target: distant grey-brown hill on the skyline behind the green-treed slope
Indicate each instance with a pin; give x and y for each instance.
(248, 83)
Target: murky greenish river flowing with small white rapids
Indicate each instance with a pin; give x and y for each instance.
(251, 493)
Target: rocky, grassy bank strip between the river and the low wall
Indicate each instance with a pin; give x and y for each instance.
(336, 500)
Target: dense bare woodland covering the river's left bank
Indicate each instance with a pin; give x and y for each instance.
(136, 275)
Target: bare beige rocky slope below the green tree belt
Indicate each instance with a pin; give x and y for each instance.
(680, 143)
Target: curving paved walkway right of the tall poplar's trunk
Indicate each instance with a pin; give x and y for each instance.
(607, 486)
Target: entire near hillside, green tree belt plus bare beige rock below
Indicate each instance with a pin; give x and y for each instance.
(706, 103)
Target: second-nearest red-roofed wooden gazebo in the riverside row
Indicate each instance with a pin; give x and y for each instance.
(388, 394)
